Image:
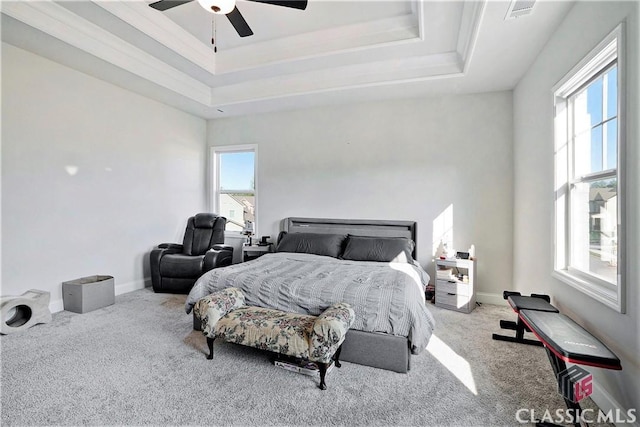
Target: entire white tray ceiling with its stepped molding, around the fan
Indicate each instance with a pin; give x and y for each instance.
(335, 51)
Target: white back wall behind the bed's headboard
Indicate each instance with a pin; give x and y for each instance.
(406, 159)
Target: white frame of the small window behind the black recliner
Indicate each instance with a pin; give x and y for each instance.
(214, 179)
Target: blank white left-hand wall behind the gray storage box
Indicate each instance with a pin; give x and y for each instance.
(140, 174)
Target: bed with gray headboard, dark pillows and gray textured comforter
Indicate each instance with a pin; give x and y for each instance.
(369, 264)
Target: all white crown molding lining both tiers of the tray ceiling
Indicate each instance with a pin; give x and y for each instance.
(283, 69)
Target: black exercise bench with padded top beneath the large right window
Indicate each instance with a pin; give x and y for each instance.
(564, 341)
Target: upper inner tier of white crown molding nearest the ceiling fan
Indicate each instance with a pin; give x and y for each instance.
(346, 38)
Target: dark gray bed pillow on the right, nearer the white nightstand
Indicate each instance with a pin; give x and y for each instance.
(380, 249)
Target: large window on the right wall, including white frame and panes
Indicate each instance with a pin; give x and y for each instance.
(589, 135)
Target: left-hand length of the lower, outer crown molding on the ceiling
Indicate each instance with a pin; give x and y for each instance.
(64, 25)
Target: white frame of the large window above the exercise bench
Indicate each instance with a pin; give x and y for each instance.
(611, 49)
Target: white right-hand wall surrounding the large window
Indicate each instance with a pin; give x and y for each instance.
(584, 27)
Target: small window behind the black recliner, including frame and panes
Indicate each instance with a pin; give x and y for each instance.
(234, 185)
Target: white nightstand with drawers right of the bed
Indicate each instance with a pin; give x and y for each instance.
(453, 291)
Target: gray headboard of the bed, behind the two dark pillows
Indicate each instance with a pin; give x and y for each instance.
(356, 227)
